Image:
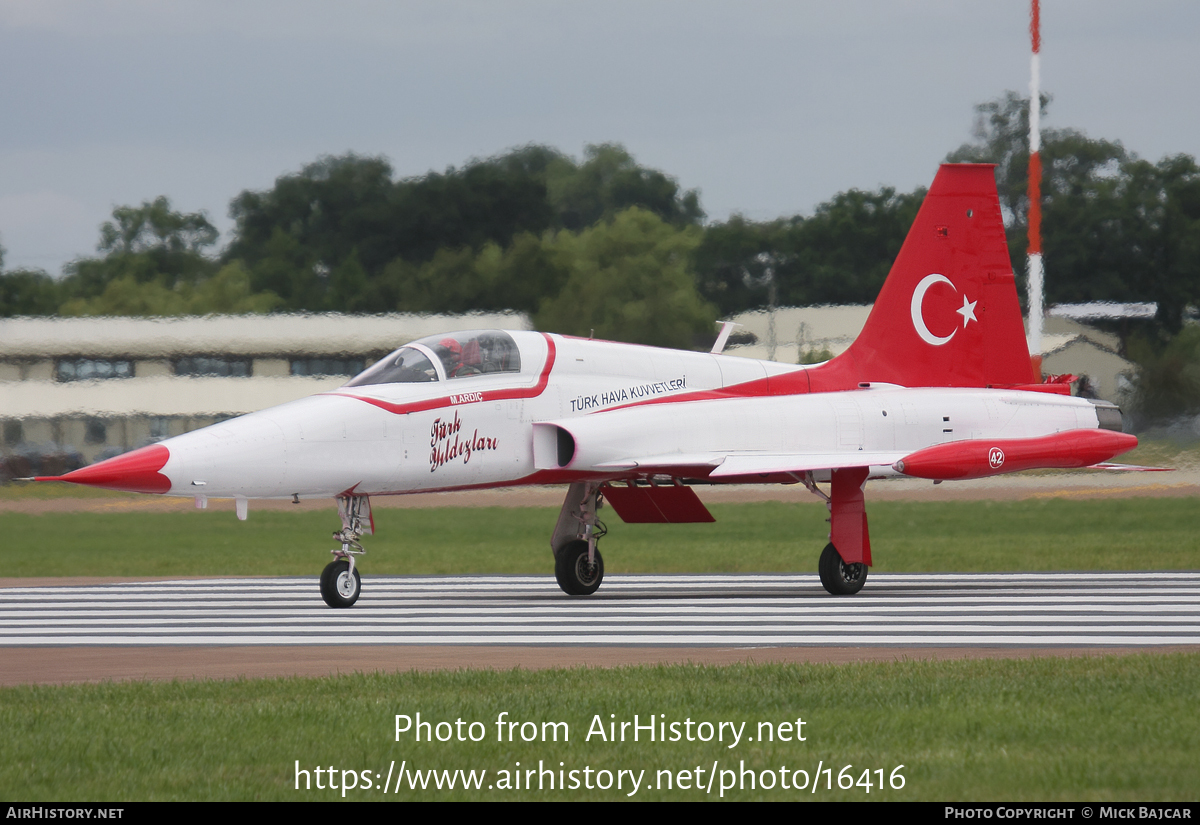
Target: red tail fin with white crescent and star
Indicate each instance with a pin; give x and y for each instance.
(949, 314)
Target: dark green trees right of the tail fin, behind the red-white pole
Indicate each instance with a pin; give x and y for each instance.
(1115, 228)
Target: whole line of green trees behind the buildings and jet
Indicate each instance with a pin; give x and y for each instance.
(608, 245)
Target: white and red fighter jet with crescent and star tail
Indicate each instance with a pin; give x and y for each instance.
(939, 386)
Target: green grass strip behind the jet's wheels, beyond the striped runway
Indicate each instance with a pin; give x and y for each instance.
(967, 537)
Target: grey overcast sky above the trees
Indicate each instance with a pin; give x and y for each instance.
(767, 107)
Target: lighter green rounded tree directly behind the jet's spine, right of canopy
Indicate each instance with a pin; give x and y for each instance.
(629, 280)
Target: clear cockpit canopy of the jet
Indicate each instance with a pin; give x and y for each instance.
(447, 357)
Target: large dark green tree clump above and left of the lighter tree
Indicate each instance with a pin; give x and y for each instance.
(347, 216)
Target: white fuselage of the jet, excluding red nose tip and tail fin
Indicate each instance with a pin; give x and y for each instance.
(481, 431)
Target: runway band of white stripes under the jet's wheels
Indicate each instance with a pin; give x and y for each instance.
(981, 610)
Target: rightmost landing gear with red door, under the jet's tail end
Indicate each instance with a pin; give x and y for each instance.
(845, 559)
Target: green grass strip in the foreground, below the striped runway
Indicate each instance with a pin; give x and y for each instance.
(1112, 728)
